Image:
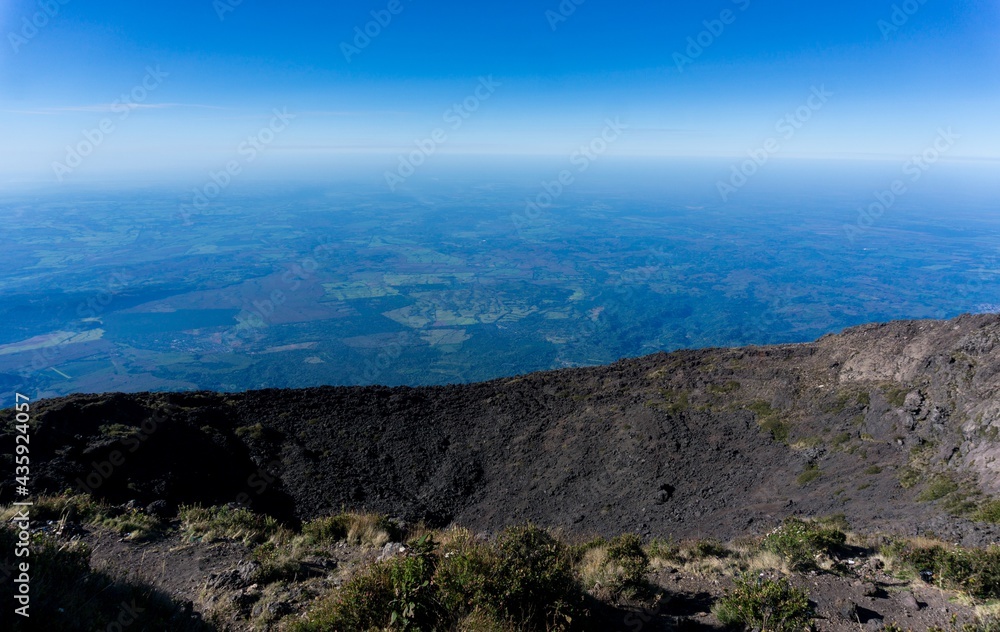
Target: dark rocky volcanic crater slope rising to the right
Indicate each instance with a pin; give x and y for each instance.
(709, 442)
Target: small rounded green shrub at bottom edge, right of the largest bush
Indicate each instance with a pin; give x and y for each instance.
(765, 604)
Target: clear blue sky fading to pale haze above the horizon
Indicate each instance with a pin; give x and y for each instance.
(895, 71)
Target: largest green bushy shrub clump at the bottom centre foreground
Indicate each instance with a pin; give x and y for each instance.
(524, 580)
